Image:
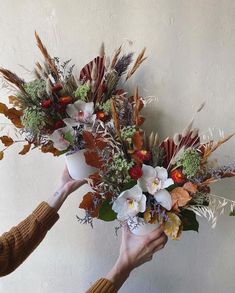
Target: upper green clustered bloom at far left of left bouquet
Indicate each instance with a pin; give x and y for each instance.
(36, 89)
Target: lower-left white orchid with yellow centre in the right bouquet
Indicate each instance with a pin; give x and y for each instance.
(129, 203)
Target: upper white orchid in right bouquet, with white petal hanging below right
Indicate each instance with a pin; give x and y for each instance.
(155, 181)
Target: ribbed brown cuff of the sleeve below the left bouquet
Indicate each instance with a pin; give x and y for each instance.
(46, 215)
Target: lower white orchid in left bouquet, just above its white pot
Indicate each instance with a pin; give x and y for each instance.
(58, 138)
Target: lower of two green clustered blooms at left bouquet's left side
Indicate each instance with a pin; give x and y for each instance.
(33, 119)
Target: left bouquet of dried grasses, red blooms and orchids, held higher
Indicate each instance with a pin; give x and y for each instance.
(51, 111)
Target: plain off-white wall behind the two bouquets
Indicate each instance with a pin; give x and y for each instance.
(191, 49)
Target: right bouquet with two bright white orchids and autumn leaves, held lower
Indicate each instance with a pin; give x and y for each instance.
(146, 182)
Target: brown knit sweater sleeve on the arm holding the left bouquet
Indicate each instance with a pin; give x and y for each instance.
(17, 244)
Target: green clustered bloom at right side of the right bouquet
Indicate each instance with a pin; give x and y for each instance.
(190, 161)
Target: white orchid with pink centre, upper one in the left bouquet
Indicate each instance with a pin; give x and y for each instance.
(80, 112)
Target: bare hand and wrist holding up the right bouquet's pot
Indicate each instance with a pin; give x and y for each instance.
(135, 251)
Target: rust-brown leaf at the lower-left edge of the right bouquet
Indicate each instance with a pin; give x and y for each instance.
(89, 205)
